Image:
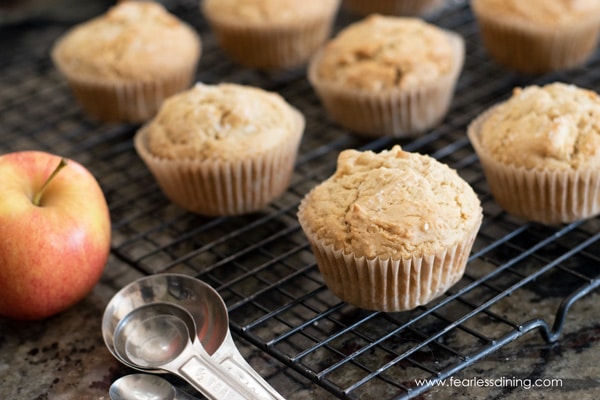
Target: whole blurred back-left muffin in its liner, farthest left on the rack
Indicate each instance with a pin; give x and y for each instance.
(121, 65)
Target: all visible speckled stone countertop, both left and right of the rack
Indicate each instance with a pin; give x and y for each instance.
(64, 357)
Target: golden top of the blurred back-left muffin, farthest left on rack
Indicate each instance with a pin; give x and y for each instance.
(132, 40)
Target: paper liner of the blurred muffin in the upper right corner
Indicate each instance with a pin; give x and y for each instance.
(532, 49)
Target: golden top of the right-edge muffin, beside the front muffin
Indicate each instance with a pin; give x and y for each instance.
(556, 126)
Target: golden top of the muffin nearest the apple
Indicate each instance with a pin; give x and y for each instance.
(221, 122)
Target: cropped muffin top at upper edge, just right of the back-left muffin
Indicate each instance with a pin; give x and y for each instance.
(279, 12)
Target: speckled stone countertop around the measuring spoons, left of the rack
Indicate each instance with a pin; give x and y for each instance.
(64, 357)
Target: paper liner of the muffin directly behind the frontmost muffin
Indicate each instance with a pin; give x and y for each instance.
(397, 112)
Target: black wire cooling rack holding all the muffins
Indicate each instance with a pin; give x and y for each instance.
(261, 263)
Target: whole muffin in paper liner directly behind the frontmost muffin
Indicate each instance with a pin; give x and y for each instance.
(388, 75)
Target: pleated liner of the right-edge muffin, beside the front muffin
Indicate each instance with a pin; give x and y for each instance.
(541, 195)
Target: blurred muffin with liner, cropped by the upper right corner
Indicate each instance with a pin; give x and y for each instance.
(538, 36)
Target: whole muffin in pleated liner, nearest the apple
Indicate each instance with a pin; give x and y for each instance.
(222, 149)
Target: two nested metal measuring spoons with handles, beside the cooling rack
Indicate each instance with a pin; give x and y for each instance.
(190, 311)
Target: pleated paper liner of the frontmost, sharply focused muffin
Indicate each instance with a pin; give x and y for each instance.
(386, 284)
